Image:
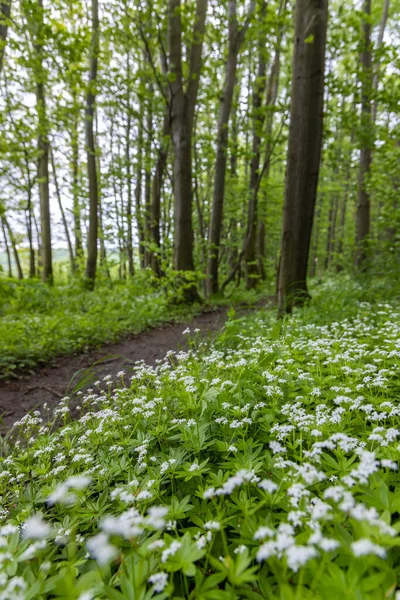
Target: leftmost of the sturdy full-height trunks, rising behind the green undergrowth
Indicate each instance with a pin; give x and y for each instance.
(43, 158)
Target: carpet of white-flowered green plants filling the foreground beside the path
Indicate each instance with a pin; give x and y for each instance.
(263, 467)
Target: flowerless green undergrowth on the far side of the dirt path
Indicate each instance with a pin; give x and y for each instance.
(38, 323)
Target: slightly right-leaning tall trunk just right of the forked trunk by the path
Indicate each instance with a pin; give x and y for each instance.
(235, 40)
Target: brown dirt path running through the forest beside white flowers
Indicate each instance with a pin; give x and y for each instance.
(52, 383)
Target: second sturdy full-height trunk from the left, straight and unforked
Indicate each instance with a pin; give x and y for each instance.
(90, 273)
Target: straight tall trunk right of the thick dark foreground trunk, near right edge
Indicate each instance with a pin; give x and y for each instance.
(363, 218)
